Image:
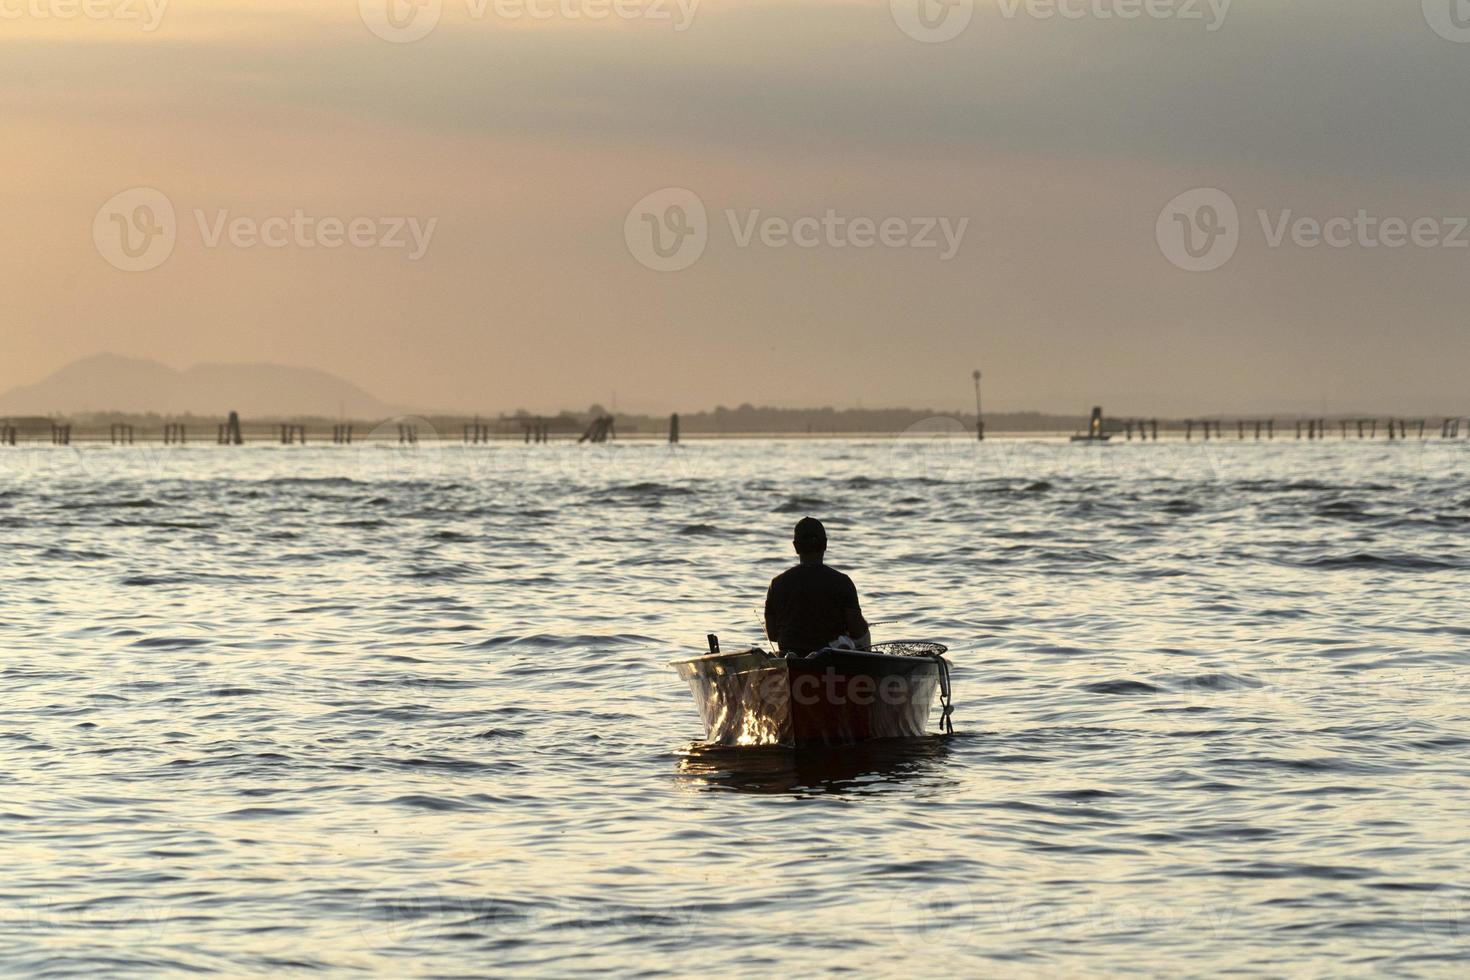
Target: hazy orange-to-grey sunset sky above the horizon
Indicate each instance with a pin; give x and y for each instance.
(528, 142)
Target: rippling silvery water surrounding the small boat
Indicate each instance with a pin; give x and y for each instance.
(364, 710)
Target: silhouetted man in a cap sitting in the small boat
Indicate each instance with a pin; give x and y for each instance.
(811, 606)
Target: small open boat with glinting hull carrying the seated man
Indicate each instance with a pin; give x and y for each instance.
(833, 697)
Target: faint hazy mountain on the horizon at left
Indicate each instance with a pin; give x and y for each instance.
(108, 383)
